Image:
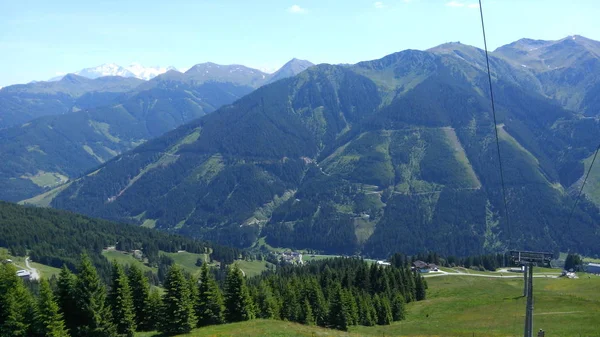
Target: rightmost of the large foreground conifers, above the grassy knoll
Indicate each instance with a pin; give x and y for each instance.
(238, 304)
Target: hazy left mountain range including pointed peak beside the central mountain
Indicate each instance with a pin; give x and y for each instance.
(89, 121)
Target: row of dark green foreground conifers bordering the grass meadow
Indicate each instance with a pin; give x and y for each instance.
(335, 293)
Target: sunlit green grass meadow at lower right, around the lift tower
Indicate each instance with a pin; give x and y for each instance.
(465, 306)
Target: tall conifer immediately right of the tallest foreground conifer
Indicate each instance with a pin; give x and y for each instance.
(121, 302)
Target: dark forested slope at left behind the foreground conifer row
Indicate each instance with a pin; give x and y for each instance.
(57, 238)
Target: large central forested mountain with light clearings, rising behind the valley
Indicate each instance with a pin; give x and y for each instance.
(396, 154)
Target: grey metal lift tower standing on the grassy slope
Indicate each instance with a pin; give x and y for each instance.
(528, 259)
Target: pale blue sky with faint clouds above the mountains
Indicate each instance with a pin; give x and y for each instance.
(40, 39)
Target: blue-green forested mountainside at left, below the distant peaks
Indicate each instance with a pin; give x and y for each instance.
(70, 144)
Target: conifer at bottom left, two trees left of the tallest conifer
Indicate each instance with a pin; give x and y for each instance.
(48, 320)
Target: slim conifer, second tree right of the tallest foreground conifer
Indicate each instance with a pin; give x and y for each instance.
(140, 293)
